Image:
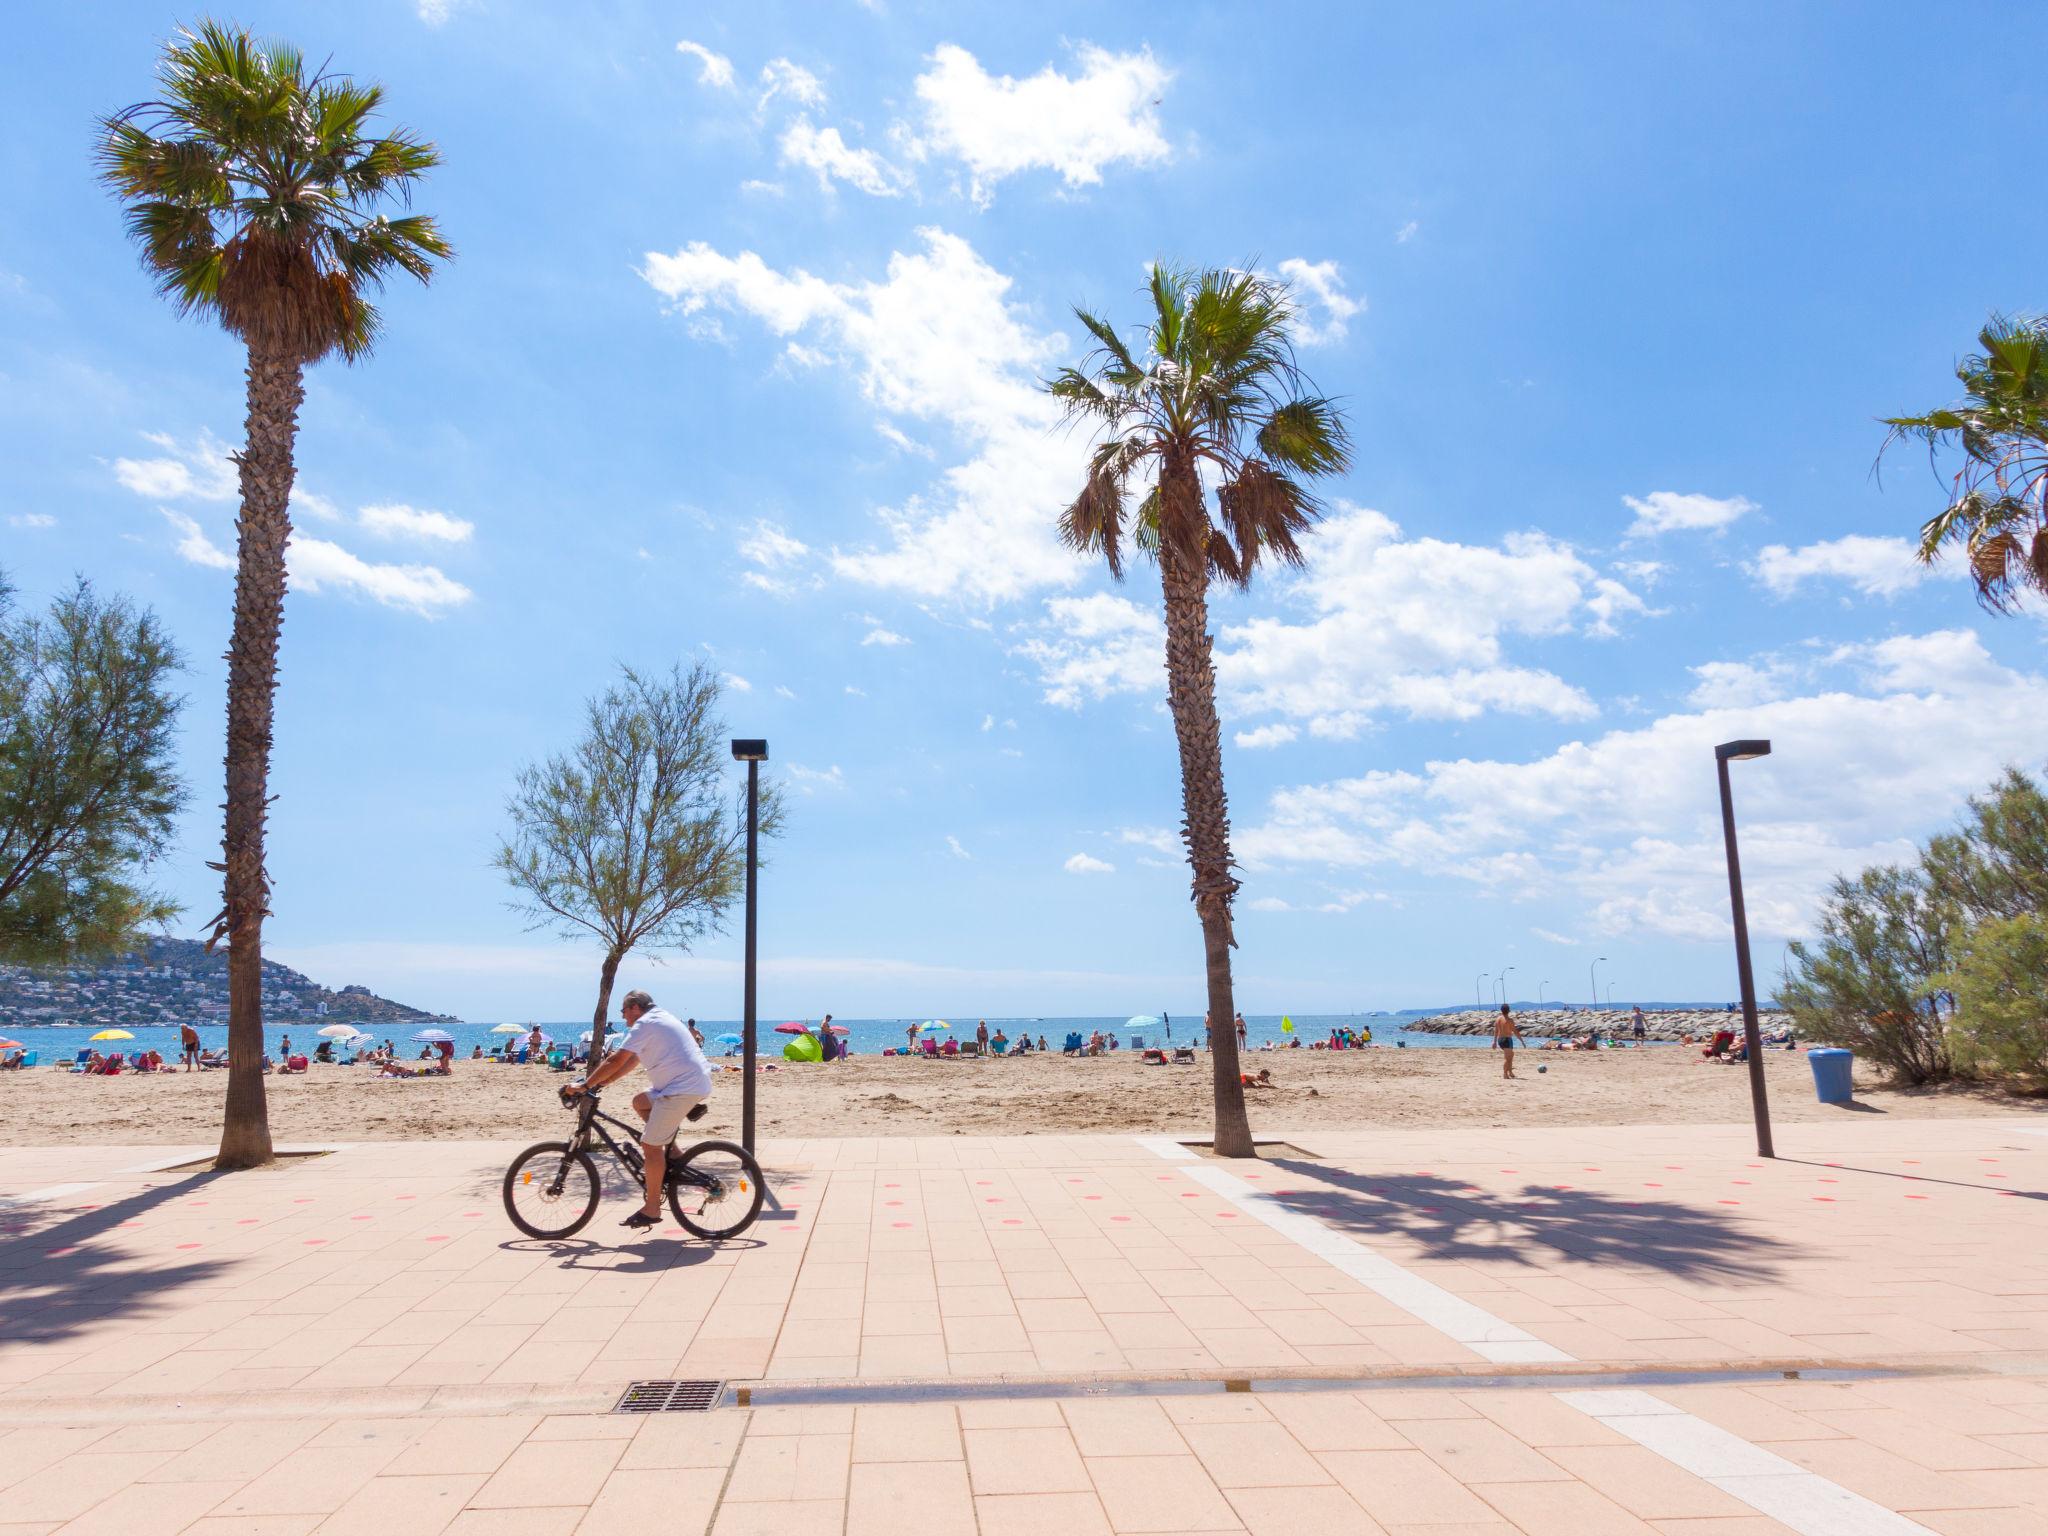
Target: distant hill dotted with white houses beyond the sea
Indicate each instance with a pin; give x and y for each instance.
(175, 980)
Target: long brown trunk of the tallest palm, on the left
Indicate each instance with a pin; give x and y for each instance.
(275, 388)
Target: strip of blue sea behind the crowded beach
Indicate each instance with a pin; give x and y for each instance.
(865, 1035)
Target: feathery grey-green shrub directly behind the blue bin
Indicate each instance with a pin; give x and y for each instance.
(1871, 978)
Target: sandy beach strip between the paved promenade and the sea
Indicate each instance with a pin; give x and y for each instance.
(876, 1097)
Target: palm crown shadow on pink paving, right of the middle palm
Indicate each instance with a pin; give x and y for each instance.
(1453, 1222)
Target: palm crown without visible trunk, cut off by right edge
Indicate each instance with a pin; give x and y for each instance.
(1998, 503)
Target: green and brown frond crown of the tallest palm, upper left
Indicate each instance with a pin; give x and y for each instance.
(257, 194)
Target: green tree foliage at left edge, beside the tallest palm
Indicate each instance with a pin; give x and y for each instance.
(87, 779)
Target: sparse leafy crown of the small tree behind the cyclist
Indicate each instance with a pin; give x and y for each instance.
(636, 835)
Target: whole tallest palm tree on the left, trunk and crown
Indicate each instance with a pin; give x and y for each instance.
(255, 189)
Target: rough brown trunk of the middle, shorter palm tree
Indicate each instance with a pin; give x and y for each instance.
(1191, 691)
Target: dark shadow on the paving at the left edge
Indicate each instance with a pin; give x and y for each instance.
(58, 1277)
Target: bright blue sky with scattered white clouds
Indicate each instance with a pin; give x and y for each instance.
(740, 361)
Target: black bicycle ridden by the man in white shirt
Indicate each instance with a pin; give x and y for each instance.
(714, 1189)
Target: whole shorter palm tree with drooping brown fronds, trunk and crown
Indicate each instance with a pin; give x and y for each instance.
(1207, 392)
